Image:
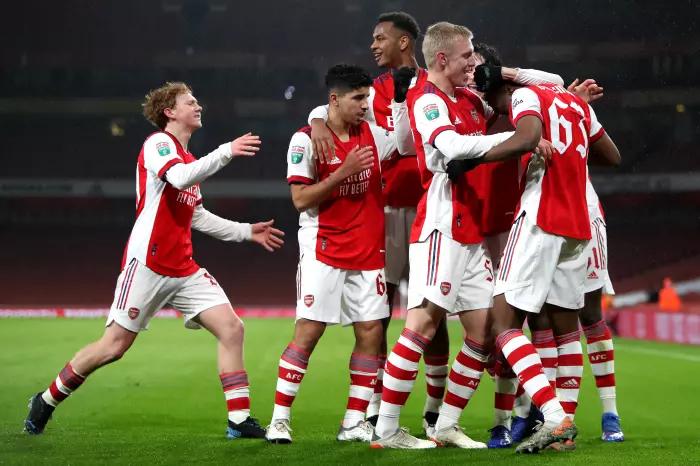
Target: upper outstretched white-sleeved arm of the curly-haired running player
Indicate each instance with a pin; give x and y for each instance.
(183, 176)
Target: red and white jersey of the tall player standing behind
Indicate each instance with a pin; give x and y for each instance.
(400, 176)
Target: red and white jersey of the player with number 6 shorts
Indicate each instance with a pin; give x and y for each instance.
(347, 229)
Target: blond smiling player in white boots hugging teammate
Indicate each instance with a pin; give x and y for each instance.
(450, 267)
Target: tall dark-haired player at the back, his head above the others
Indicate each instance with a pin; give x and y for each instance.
(393, 47)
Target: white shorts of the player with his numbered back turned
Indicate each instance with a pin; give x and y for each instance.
(539, 267)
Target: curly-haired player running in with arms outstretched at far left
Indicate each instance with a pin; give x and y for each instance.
(158, 268)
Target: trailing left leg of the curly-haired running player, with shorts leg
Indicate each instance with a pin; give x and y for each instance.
(138, 294)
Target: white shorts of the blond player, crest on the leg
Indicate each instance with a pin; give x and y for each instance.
(457, 277)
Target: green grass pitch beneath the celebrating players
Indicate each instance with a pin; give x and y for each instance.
(162, 403)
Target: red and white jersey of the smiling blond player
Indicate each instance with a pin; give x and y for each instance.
(454, 210)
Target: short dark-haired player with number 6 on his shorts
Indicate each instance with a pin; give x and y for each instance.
(341, 248)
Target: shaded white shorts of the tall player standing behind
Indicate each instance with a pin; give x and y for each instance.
(398, 223)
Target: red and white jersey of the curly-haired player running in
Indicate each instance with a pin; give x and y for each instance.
(161, 238)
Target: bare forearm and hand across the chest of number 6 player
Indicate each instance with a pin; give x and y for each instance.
(307, 196)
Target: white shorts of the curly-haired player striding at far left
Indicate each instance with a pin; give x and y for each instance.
(141, 292)
